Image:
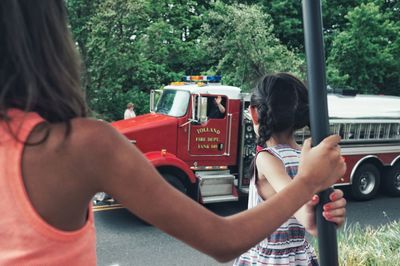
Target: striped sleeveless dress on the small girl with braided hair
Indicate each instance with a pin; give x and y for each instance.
(287, 245)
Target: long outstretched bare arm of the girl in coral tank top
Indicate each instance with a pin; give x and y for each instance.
(115, 166)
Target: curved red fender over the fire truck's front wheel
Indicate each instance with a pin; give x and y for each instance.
(160, 158)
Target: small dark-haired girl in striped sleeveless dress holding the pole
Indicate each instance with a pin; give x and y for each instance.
(278, 107)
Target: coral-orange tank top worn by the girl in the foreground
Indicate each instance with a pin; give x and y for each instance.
(26, 238)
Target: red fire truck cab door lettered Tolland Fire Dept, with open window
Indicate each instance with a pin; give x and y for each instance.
(210, 136)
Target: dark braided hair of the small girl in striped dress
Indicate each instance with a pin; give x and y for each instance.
(281, 101)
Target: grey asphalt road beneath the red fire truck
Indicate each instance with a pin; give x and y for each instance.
(122, 239)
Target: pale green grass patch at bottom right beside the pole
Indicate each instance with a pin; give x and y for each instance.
(369, 246)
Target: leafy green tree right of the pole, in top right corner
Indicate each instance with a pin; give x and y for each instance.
(367, 50)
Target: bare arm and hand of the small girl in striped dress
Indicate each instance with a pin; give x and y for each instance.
(273, 170)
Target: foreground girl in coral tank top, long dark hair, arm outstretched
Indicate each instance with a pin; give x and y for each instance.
(54, 159)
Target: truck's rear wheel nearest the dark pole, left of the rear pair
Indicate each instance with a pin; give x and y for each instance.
(366, 182)
